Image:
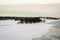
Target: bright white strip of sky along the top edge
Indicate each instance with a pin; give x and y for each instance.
(28, 1)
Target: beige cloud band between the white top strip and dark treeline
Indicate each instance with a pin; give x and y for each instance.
(31, 10)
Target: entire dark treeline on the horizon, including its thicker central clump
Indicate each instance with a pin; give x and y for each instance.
(27, 19)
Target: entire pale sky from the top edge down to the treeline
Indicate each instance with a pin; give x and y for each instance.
(30, 8)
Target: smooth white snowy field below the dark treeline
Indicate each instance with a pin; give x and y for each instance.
(10, 30)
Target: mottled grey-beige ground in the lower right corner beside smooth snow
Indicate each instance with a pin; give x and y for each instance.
(53, 34)
